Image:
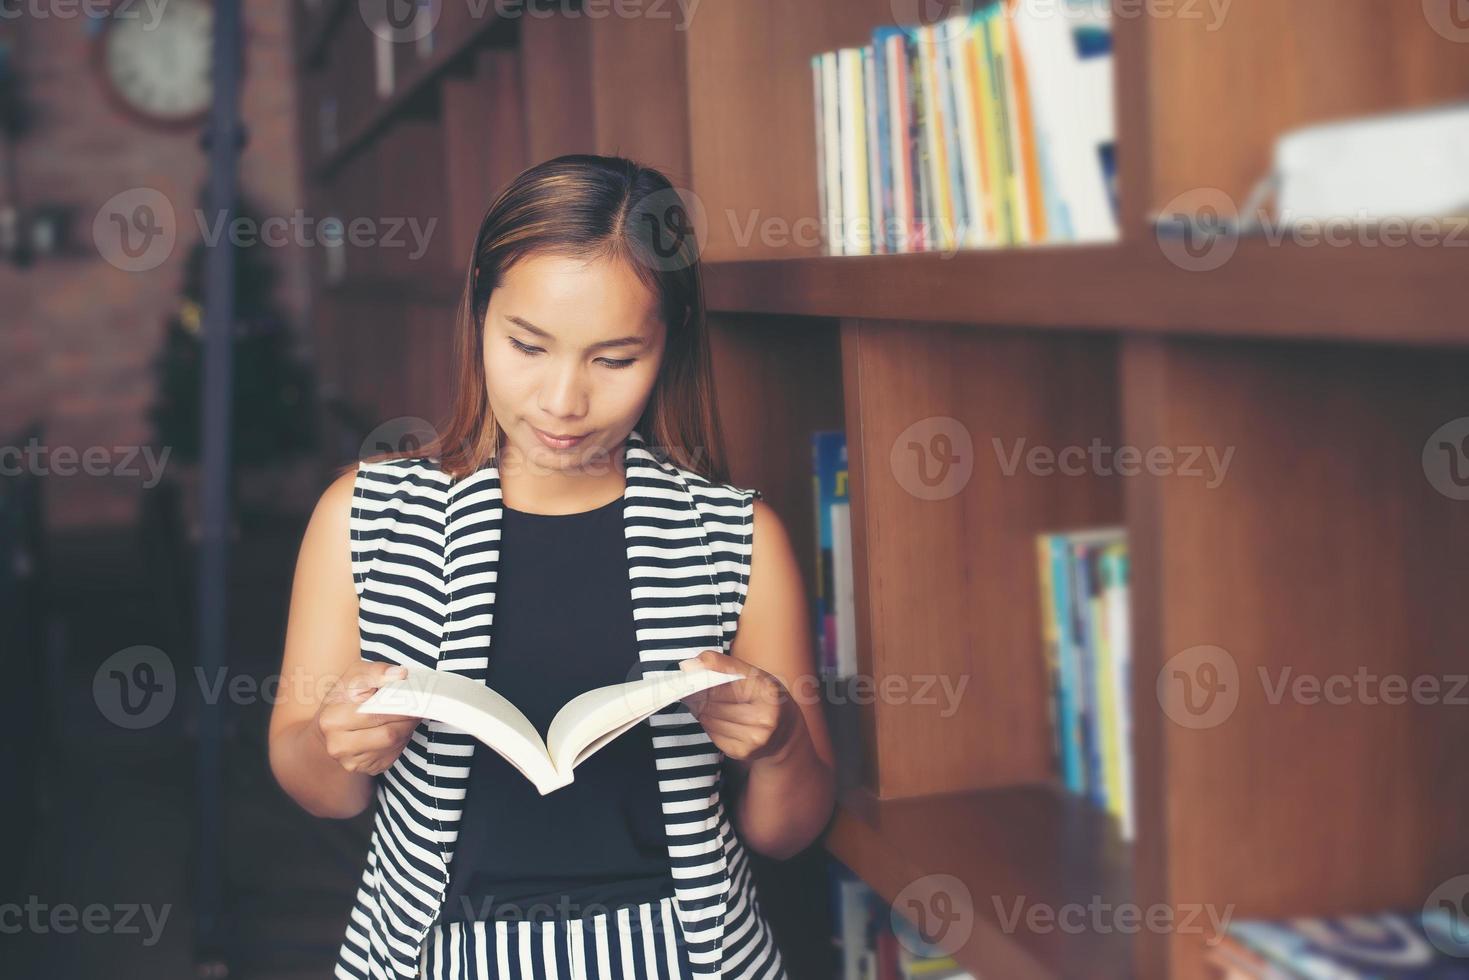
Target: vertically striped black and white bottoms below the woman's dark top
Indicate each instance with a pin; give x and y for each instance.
(641, 943)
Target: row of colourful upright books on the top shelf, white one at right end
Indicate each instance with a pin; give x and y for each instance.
(991, 129)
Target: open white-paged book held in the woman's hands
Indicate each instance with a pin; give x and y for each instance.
(581, 728)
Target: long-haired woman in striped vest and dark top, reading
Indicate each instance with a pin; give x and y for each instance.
(582, 478)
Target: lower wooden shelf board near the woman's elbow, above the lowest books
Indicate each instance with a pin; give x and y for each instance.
(1028, 849)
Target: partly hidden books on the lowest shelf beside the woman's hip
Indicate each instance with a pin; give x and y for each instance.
(875, 944)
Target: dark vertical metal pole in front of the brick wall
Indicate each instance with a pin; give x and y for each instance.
(220, 323)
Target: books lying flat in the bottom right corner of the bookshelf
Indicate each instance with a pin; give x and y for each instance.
(1392, 945)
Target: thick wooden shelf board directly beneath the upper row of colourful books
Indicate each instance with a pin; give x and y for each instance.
(1349, 293)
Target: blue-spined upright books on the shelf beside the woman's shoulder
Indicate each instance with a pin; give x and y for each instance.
(834, 605)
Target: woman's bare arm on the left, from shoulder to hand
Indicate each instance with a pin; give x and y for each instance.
(324, 769)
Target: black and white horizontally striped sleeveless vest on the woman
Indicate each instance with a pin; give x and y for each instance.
(425, 553)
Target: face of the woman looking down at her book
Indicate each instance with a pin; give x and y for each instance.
(571, 349)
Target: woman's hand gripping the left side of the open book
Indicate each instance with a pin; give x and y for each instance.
(364, 743)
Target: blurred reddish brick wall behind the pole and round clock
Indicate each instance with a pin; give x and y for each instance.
(79, 334)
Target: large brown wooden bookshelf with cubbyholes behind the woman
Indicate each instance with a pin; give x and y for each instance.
(1323, 368)
